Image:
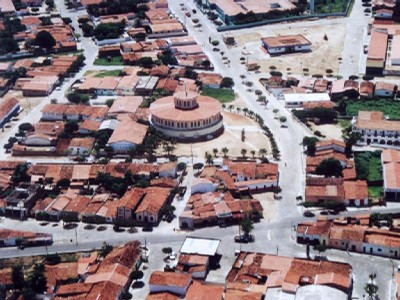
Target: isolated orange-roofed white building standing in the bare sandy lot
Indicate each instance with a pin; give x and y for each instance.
(286, 44)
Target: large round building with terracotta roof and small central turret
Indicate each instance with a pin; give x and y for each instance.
(187, 115)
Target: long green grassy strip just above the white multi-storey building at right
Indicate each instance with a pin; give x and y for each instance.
(387, 106)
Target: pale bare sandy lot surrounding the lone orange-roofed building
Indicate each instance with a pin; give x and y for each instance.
(324, 55)
